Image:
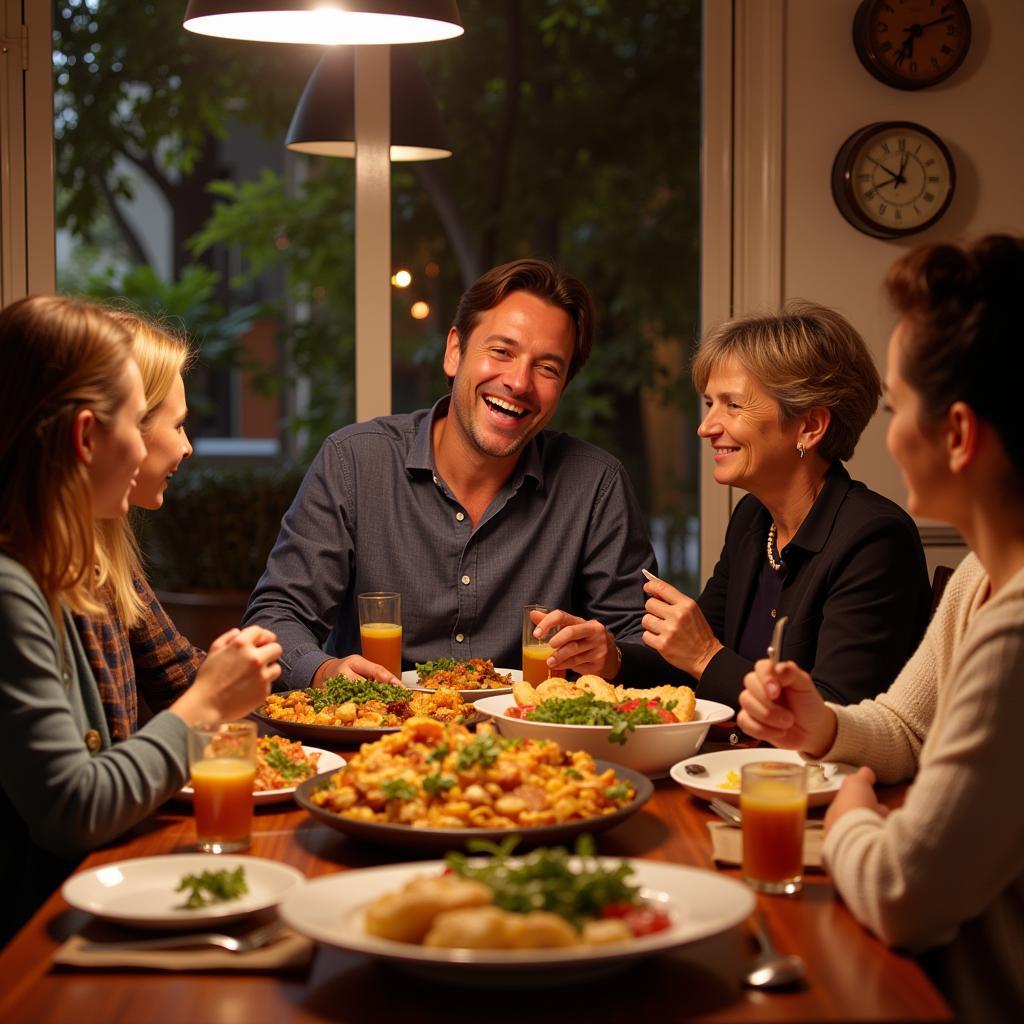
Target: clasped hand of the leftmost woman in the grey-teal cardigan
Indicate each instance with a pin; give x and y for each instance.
(236, 677)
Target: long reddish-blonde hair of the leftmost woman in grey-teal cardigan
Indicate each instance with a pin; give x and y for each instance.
(62, 356)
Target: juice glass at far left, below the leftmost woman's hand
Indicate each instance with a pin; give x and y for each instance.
(223, 761)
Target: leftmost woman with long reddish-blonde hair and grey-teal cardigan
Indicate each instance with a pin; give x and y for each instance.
(72, 405)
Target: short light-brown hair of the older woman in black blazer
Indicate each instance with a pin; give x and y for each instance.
(804, 356)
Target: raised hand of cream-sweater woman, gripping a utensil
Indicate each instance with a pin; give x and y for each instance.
(781, 704)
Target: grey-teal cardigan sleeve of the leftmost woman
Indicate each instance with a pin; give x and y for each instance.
(71, 800)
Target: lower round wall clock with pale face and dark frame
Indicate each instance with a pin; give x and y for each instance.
(893, 179)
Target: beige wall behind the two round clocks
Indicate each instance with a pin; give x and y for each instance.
(827, 96)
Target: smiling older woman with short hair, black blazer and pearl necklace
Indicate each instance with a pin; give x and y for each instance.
(788, 398)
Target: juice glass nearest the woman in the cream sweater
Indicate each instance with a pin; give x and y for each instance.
(774, 801)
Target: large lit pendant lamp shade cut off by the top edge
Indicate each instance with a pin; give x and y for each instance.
(327, 22)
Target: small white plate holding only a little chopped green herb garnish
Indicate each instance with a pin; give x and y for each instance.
(141, 893)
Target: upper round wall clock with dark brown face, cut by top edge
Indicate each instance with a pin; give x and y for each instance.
(912, 45)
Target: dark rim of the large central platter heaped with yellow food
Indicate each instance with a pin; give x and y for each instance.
(448, 839)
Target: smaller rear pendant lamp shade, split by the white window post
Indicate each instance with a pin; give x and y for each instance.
(324, 122)
